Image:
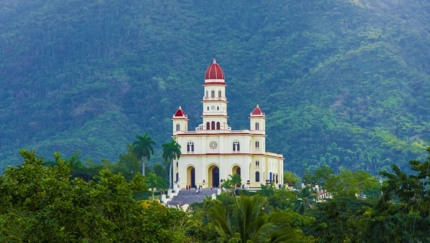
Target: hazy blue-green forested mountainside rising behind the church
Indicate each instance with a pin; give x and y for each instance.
(343, 83)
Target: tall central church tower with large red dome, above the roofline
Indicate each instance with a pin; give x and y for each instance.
(214, 99)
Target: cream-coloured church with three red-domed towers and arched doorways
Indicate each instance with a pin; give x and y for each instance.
(213, 151)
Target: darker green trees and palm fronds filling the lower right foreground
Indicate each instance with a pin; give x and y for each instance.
(399, 212)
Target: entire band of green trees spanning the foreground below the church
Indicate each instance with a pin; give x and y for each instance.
(43, 202)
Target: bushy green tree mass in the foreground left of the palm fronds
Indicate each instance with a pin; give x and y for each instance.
(43, 204)
